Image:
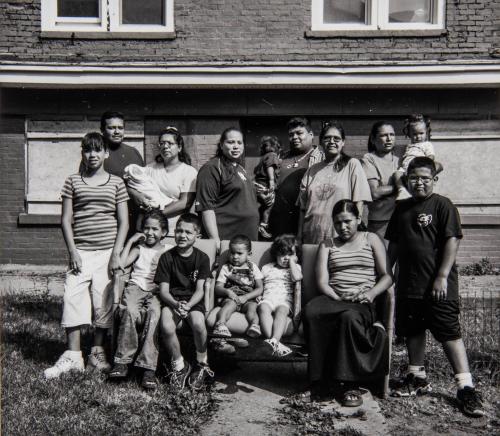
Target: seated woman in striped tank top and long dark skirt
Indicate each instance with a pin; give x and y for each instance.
(347, 346)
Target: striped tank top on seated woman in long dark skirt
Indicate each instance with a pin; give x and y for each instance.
(350, 270)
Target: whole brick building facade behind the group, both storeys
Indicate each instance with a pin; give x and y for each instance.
(251, 64)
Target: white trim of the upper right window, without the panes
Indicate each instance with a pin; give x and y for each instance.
(377, 13)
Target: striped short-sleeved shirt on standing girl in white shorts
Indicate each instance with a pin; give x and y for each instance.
(94, 211)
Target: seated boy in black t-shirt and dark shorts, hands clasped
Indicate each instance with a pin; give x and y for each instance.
(181, 274)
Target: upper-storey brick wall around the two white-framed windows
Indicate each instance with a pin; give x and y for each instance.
(250, 31)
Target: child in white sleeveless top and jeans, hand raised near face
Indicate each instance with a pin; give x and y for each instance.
(140, 295)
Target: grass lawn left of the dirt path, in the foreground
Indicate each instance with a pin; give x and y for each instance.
(78, 404)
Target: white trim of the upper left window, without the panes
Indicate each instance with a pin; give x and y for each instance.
(108, 20)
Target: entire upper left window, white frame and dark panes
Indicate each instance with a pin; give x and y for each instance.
(121, 16)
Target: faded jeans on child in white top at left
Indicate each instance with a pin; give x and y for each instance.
(138, 308)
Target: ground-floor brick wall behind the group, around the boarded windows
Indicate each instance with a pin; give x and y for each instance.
(201, 116)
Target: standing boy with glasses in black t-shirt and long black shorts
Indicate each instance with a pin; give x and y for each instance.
(424, 234)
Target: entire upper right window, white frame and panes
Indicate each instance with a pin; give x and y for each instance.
(338, 15)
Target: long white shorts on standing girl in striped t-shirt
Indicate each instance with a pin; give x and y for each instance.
(89, 292)
